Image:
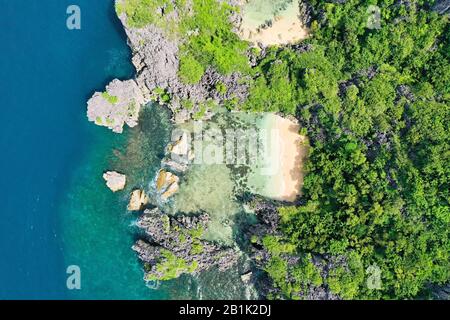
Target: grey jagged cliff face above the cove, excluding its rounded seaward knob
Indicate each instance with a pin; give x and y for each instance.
(156, 57)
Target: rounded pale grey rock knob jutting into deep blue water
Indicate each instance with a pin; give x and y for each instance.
(118, 105)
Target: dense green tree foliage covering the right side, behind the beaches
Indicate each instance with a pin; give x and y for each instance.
(375, 103)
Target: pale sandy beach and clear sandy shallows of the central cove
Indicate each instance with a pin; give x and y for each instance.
(276, 173)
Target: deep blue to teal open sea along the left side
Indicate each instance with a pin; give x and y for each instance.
(51, 156)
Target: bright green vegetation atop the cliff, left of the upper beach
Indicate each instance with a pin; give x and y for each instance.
(203, 28)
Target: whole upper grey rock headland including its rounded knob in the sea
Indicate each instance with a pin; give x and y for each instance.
(156, 58)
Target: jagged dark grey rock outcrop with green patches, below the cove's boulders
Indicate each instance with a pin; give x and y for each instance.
(175, 246)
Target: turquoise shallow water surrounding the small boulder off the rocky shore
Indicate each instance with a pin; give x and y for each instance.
(98, 230)
